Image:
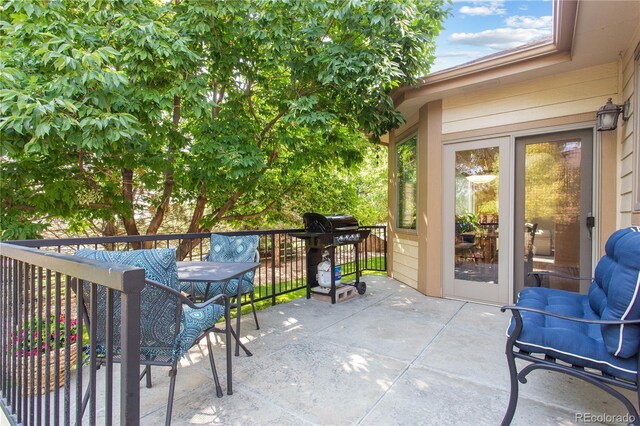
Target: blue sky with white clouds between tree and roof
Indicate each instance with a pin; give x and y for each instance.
(479, 28)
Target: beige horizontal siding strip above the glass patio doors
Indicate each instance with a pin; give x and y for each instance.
(569, 93)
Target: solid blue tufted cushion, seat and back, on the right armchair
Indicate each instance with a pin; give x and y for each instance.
(612, 295)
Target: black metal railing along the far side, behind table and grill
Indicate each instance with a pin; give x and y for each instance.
(282, 256)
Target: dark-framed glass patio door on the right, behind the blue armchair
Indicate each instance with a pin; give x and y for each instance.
(554, 193)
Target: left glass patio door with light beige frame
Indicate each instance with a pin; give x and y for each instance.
(476, 221)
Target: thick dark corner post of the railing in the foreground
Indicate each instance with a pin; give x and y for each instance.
(130, 345)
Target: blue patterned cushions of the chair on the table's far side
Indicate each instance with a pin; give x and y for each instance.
(224, 248)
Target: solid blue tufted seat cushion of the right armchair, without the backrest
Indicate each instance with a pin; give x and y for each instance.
(576, 343)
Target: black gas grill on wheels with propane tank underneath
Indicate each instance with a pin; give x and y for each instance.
(324, 234)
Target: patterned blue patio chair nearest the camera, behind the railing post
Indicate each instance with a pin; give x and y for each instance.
(170, 323)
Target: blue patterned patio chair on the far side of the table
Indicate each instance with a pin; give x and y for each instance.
(241, 248)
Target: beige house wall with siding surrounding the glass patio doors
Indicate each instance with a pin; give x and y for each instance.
(535, 106)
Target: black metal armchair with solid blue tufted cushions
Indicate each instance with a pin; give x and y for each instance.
(593, 337)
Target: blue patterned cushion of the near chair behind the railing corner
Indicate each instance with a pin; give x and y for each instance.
(158, 308)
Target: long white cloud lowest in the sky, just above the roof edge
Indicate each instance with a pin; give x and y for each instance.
(500, 38)
